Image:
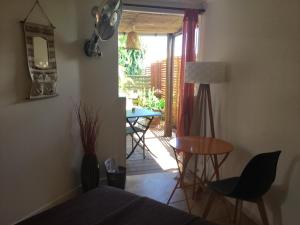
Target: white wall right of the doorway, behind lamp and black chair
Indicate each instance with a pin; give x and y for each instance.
(258, 109)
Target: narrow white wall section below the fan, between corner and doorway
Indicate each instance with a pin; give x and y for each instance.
(99, 87)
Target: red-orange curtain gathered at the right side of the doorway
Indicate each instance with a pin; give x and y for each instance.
(186, 90)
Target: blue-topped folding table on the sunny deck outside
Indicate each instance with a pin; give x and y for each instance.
(133, 119)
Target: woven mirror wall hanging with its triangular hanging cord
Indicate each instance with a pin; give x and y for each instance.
(40, 50)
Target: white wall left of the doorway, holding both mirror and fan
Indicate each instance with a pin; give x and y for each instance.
(40, 148)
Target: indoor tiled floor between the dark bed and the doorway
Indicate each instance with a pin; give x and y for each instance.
(158, 186)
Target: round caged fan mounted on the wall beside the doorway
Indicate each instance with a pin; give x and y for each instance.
(107, 18)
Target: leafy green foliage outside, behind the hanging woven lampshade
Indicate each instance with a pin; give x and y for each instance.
(130, 59)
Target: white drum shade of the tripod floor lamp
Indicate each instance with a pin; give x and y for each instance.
(205, 72)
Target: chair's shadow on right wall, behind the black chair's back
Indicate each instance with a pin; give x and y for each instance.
(278, 194)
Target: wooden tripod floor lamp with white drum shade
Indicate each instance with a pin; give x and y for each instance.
(204, 73)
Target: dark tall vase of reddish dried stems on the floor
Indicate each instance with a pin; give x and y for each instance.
(88, 123)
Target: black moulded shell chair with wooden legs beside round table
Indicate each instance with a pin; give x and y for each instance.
(255, 180)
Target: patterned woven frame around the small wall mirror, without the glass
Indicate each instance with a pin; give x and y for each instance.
(43, 80)
